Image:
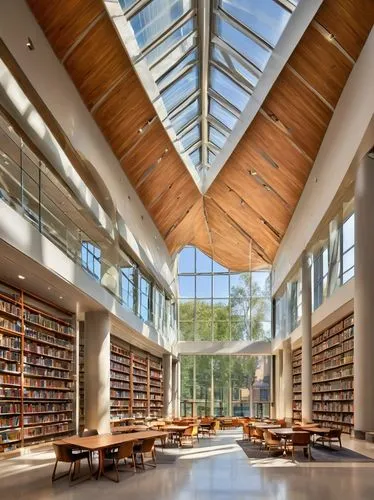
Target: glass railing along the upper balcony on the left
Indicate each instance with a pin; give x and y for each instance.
(36, 195)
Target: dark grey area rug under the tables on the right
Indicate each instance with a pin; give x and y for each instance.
(319, 453)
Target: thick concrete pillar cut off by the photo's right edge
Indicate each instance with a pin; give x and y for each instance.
(364, 299)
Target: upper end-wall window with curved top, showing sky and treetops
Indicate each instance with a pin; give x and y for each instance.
(218, 304)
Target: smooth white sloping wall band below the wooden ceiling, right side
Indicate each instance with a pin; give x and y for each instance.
(341, 142)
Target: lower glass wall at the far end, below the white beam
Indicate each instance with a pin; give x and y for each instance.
(225, 385)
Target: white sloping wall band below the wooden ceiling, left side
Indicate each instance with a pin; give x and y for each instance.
(58, 92)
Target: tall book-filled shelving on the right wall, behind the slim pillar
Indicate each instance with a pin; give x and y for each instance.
(332, 377)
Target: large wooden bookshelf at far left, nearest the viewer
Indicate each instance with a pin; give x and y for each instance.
(36, 370)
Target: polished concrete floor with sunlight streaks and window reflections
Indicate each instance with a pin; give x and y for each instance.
(216, 468)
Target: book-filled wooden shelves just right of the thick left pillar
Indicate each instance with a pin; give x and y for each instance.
(135, 383)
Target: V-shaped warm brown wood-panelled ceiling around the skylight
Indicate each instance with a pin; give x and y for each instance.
(245, 213)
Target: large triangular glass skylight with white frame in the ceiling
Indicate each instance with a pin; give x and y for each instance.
(201, 62)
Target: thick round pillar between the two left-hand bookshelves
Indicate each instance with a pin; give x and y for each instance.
(97, 371)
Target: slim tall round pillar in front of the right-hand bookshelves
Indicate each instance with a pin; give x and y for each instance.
(306, 332)
